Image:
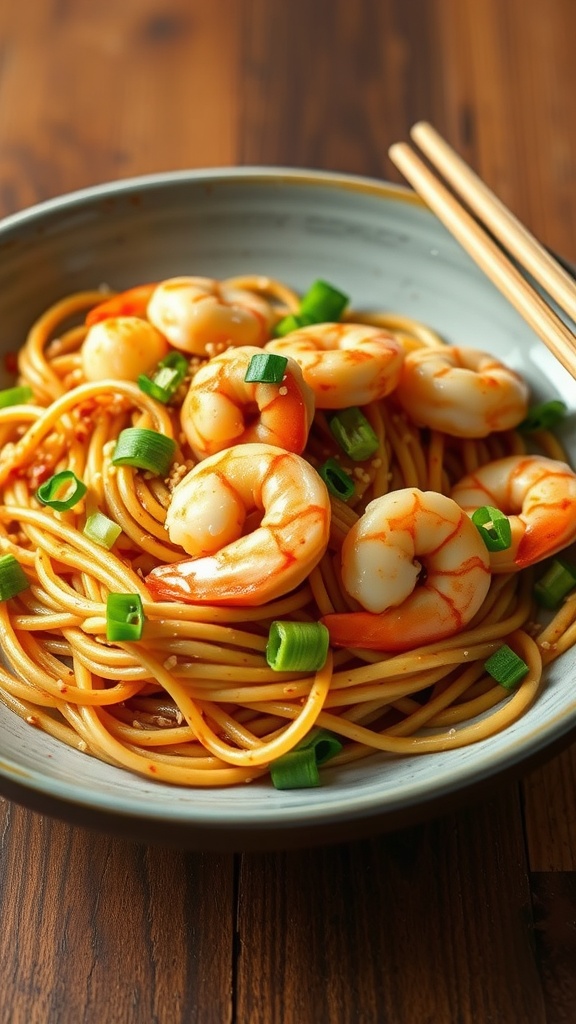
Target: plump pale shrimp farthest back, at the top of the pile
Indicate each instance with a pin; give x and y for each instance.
(202, 316)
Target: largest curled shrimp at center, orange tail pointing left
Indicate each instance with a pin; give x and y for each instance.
(208, 518)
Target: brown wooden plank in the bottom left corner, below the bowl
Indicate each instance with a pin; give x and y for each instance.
(98, 929)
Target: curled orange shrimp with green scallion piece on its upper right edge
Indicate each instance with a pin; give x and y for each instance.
(222, 409)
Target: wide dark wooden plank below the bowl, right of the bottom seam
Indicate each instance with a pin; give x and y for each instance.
(431, 925)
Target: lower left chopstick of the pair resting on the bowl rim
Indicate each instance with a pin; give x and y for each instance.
(488, 254)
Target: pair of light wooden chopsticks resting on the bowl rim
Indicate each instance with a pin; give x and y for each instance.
(480, 242)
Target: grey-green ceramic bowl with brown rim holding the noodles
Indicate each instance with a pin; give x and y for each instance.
(386, 250)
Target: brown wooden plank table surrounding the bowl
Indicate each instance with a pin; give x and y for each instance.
(467, 919)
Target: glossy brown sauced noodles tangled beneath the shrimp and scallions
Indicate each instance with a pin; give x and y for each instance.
(195, 703)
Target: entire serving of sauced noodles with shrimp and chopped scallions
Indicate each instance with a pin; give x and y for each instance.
(246, 531)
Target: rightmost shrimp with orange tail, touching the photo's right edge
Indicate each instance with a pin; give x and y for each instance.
(538, 494)
